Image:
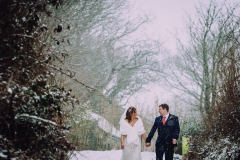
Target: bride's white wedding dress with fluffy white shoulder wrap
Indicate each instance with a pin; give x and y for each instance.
(132, 139)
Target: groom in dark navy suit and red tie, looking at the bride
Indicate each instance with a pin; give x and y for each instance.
(168, 132)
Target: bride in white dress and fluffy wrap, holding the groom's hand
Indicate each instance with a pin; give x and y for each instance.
(131, 129)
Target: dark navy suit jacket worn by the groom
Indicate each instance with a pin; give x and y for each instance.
(167, 132)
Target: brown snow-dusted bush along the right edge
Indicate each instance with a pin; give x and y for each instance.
(220, 139)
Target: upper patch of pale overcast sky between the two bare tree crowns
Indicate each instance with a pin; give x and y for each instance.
(167, 17)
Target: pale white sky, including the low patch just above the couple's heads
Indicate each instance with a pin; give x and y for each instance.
(167, 17)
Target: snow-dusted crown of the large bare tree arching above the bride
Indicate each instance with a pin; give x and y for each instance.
(103, 57)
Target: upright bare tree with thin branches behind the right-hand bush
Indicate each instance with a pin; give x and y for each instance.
(193, 70)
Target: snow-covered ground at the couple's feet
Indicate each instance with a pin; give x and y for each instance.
(111, 155)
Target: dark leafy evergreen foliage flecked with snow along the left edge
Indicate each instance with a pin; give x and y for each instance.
(31, 115)
